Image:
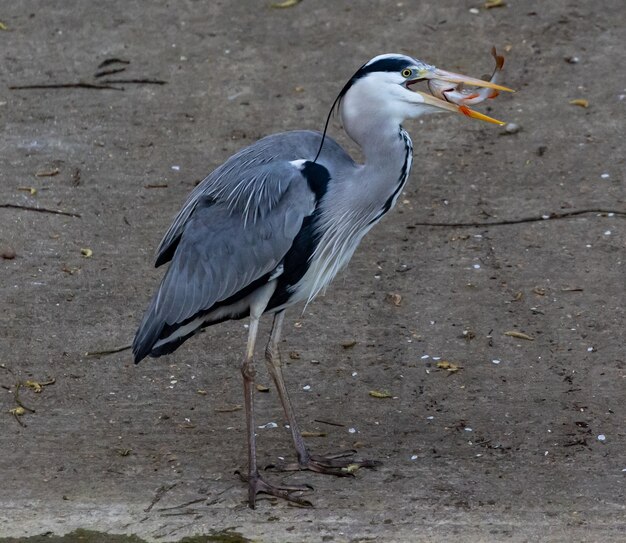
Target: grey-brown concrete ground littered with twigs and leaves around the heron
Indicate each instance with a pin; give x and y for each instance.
(497, 232)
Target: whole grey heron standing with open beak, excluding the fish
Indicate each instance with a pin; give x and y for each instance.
(274, 224)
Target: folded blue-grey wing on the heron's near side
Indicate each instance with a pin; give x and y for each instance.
(225, 243)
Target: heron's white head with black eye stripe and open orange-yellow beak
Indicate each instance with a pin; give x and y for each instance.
(384, 87)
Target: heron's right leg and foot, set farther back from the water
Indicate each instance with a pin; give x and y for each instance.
(341, 464)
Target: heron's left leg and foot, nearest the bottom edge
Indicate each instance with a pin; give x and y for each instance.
(256, 484)
